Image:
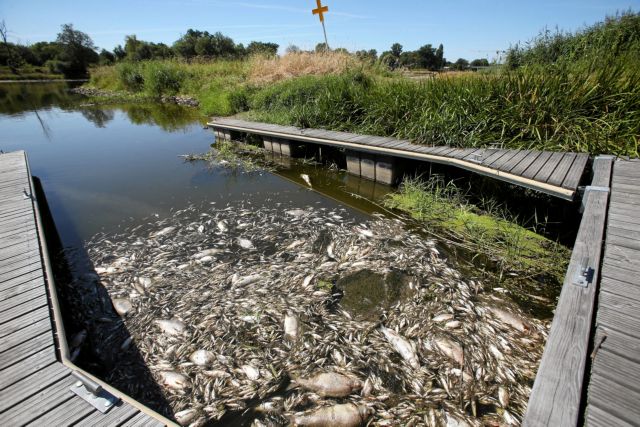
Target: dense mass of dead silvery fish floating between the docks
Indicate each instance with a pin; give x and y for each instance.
(233, 314)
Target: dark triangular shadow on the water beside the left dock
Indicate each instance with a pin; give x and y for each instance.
(98, 339)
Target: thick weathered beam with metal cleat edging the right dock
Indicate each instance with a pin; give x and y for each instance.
(557, 392)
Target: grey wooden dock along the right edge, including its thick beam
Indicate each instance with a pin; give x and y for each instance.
(590, 370)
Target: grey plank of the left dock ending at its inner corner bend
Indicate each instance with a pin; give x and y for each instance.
(18, 392)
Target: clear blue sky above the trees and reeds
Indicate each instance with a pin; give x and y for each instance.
(467, 28)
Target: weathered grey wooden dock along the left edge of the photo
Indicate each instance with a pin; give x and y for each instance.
(35, 374)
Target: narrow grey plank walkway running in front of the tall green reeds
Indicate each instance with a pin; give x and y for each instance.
(554, 173)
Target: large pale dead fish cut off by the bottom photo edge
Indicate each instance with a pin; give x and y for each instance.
(344, 415)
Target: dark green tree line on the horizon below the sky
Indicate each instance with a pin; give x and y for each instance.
(73, 52)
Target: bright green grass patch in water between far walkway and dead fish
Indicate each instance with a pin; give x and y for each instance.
(517, 251)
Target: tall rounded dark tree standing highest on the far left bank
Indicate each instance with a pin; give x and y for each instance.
(78, 50)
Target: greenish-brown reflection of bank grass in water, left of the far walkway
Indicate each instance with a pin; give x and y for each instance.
(169, 117)
